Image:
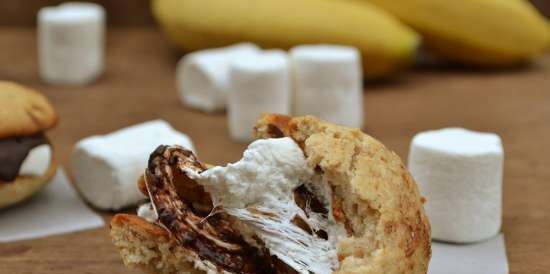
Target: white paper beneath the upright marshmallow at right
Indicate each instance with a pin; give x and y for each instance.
(488, 257)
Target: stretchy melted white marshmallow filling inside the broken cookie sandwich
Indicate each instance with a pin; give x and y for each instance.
(264, 180)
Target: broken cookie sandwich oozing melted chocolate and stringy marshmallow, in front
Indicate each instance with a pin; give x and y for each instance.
(309, 197)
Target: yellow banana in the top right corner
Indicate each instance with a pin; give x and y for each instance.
(475, 32)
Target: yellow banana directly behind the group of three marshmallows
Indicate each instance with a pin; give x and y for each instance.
(386, 44)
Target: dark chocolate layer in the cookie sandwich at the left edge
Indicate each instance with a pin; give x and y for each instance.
(13, 152)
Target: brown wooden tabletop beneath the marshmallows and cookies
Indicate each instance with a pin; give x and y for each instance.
(139, 85)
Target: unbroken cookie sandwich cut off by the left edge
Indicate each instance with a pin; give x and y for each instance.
(26, 156)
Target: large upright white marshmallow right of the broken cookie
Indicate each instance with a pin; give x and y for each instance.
(460, 173)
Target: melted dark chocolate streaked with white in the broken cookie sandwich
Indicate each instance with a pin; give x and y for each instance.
(212, 238)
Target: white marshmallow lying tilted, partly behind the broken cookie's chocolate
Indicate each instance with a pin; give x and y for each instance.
(106, 168)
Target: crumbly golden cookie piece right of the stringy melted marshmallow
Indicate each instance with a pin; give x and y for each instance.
(378, 197)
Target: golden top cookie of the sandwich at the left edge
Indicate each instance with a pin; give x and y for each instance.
(23, 111)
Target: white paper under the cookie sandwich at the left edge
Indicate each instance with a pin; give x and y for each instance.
(56, 209)
